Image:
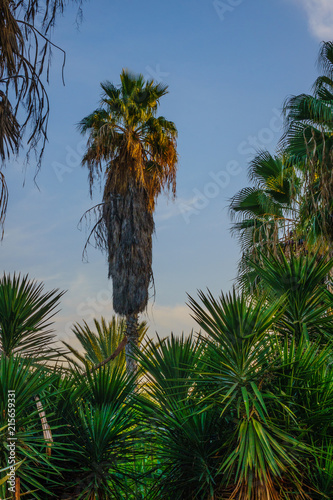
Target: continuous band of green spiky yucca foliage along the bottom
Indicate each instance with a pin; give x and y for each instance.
(241, 411)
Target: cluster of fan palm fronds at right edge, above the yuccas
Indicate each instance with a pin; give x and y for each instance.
(290, 204)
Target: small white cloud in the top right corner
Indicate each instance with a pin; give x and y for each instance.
(320, 17)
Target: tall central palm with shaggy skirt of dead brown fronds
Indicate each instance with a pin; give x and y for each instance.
(135, 152)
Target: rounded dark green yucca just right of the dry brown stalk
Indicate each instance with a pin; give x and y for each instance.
(101, 420)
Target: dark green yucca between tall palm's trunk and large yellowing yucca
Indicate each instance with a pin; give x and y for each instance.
(184, 431)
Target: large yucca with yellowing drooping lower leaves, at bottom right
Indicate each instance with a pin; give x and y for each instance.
(261, 456)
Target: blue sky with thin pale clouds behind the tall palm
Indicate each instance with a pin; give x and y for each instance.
(229, 65)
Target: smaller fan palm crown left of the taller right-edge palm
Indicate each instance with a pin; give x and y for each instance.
(266, 214)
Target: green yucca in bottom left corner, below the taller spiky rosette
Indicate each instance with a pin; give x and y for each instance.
(35, 471)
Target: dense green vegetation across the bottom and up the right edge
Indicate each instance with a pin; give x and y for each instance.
(243, 409)
